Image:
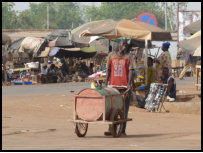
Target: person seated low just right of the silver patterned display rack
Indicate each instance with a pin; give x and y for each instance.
(171, 89)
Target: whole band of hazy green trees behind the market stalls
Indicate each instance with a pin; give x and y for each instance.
(68, 15)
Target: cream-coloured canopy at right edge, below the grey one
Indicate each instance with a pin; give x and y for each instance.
(191, 43)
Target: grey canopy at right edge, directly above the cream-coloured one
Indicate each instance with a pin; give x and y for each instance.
(192, 28)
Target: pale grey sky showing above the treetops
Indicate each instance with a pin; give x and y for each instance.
(20, 6)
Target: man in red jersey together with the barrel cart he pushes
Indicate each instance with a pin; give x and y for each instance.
(108, 105)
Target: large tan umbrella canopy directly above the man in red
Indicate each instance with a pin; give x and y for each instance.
(129, 29)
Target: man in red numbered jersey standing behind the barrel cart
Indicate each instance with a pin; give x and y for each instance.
(120, 66)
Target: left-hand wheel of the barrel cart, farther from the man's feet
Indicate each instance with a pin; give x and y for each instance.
(81, 129)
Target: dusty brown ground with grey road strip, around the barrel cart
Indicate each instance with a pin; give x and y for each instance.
(37, 120)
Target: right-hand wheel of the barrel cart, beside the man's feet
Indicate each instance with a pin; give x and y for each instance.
(116, 129)
